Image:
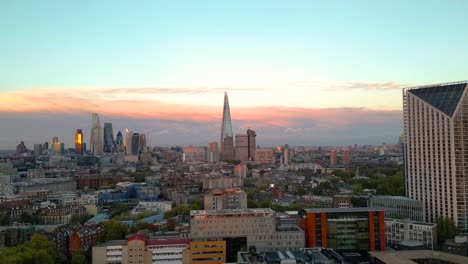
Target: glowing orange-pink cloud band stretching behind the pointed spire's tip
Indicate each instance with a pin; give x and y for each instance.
(82, 102)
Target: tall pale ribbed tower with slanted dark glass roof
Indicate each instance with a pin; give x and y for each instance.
(435, 150)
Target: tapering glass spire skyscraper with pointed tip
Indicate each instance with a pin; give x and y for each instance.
(227, 139)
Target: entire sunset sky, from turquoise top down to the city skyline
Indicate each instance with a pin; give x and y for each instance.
(298, 72)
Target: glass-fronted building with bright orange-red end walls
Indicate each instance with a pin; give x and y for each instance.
(346, 229)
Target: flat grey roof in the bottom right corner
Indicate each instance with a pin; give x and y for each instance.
(406, 256)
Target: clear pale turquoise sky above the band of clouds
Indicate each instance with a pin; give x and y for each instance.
(148, 43)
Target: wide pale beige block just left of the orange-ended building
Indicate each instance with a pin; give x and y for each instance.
(242, 228)
